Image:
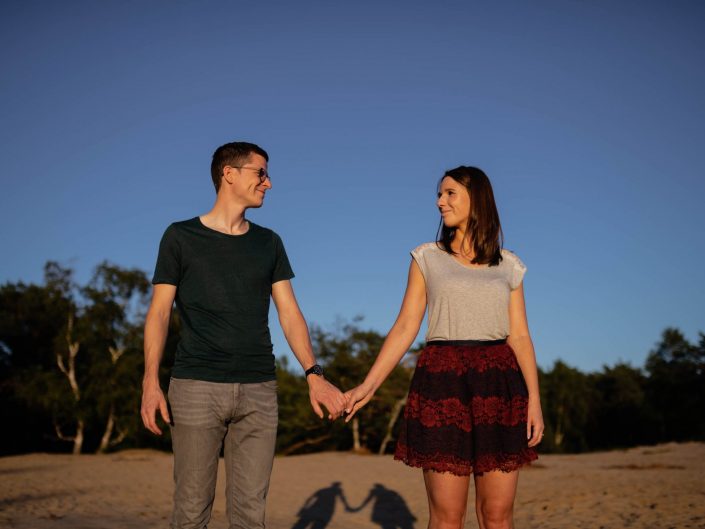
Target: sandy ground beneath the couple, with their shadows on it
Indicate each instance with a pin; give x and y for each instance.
(651, 487)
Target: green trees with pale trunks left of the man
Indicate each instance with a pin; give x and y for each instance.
(71, 361)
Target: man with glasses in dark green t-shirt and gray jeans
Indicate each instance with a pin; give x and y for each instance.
(222, 269)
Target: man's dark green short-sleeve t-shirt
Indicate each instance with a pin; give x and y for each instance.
(224, 283)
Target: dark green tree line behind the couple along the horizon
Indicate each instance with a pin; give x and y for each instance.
(71, 366)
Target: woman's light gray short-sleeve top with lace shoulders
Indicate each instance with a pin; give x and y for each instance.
(467, 303)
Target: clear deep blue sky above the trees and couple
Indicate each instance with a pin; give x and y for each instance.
(589, 117)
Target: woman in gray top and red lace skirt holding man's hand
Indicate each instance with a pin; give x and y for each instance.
(473, 405)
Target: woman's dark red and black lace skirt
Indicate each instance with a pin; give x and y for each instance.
(466, 411)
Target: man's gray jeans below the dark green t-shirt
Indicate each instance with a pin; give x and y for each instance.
(206, 416)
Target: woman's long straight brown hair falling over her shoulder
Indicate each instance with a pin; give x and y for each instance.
(484, 229)
